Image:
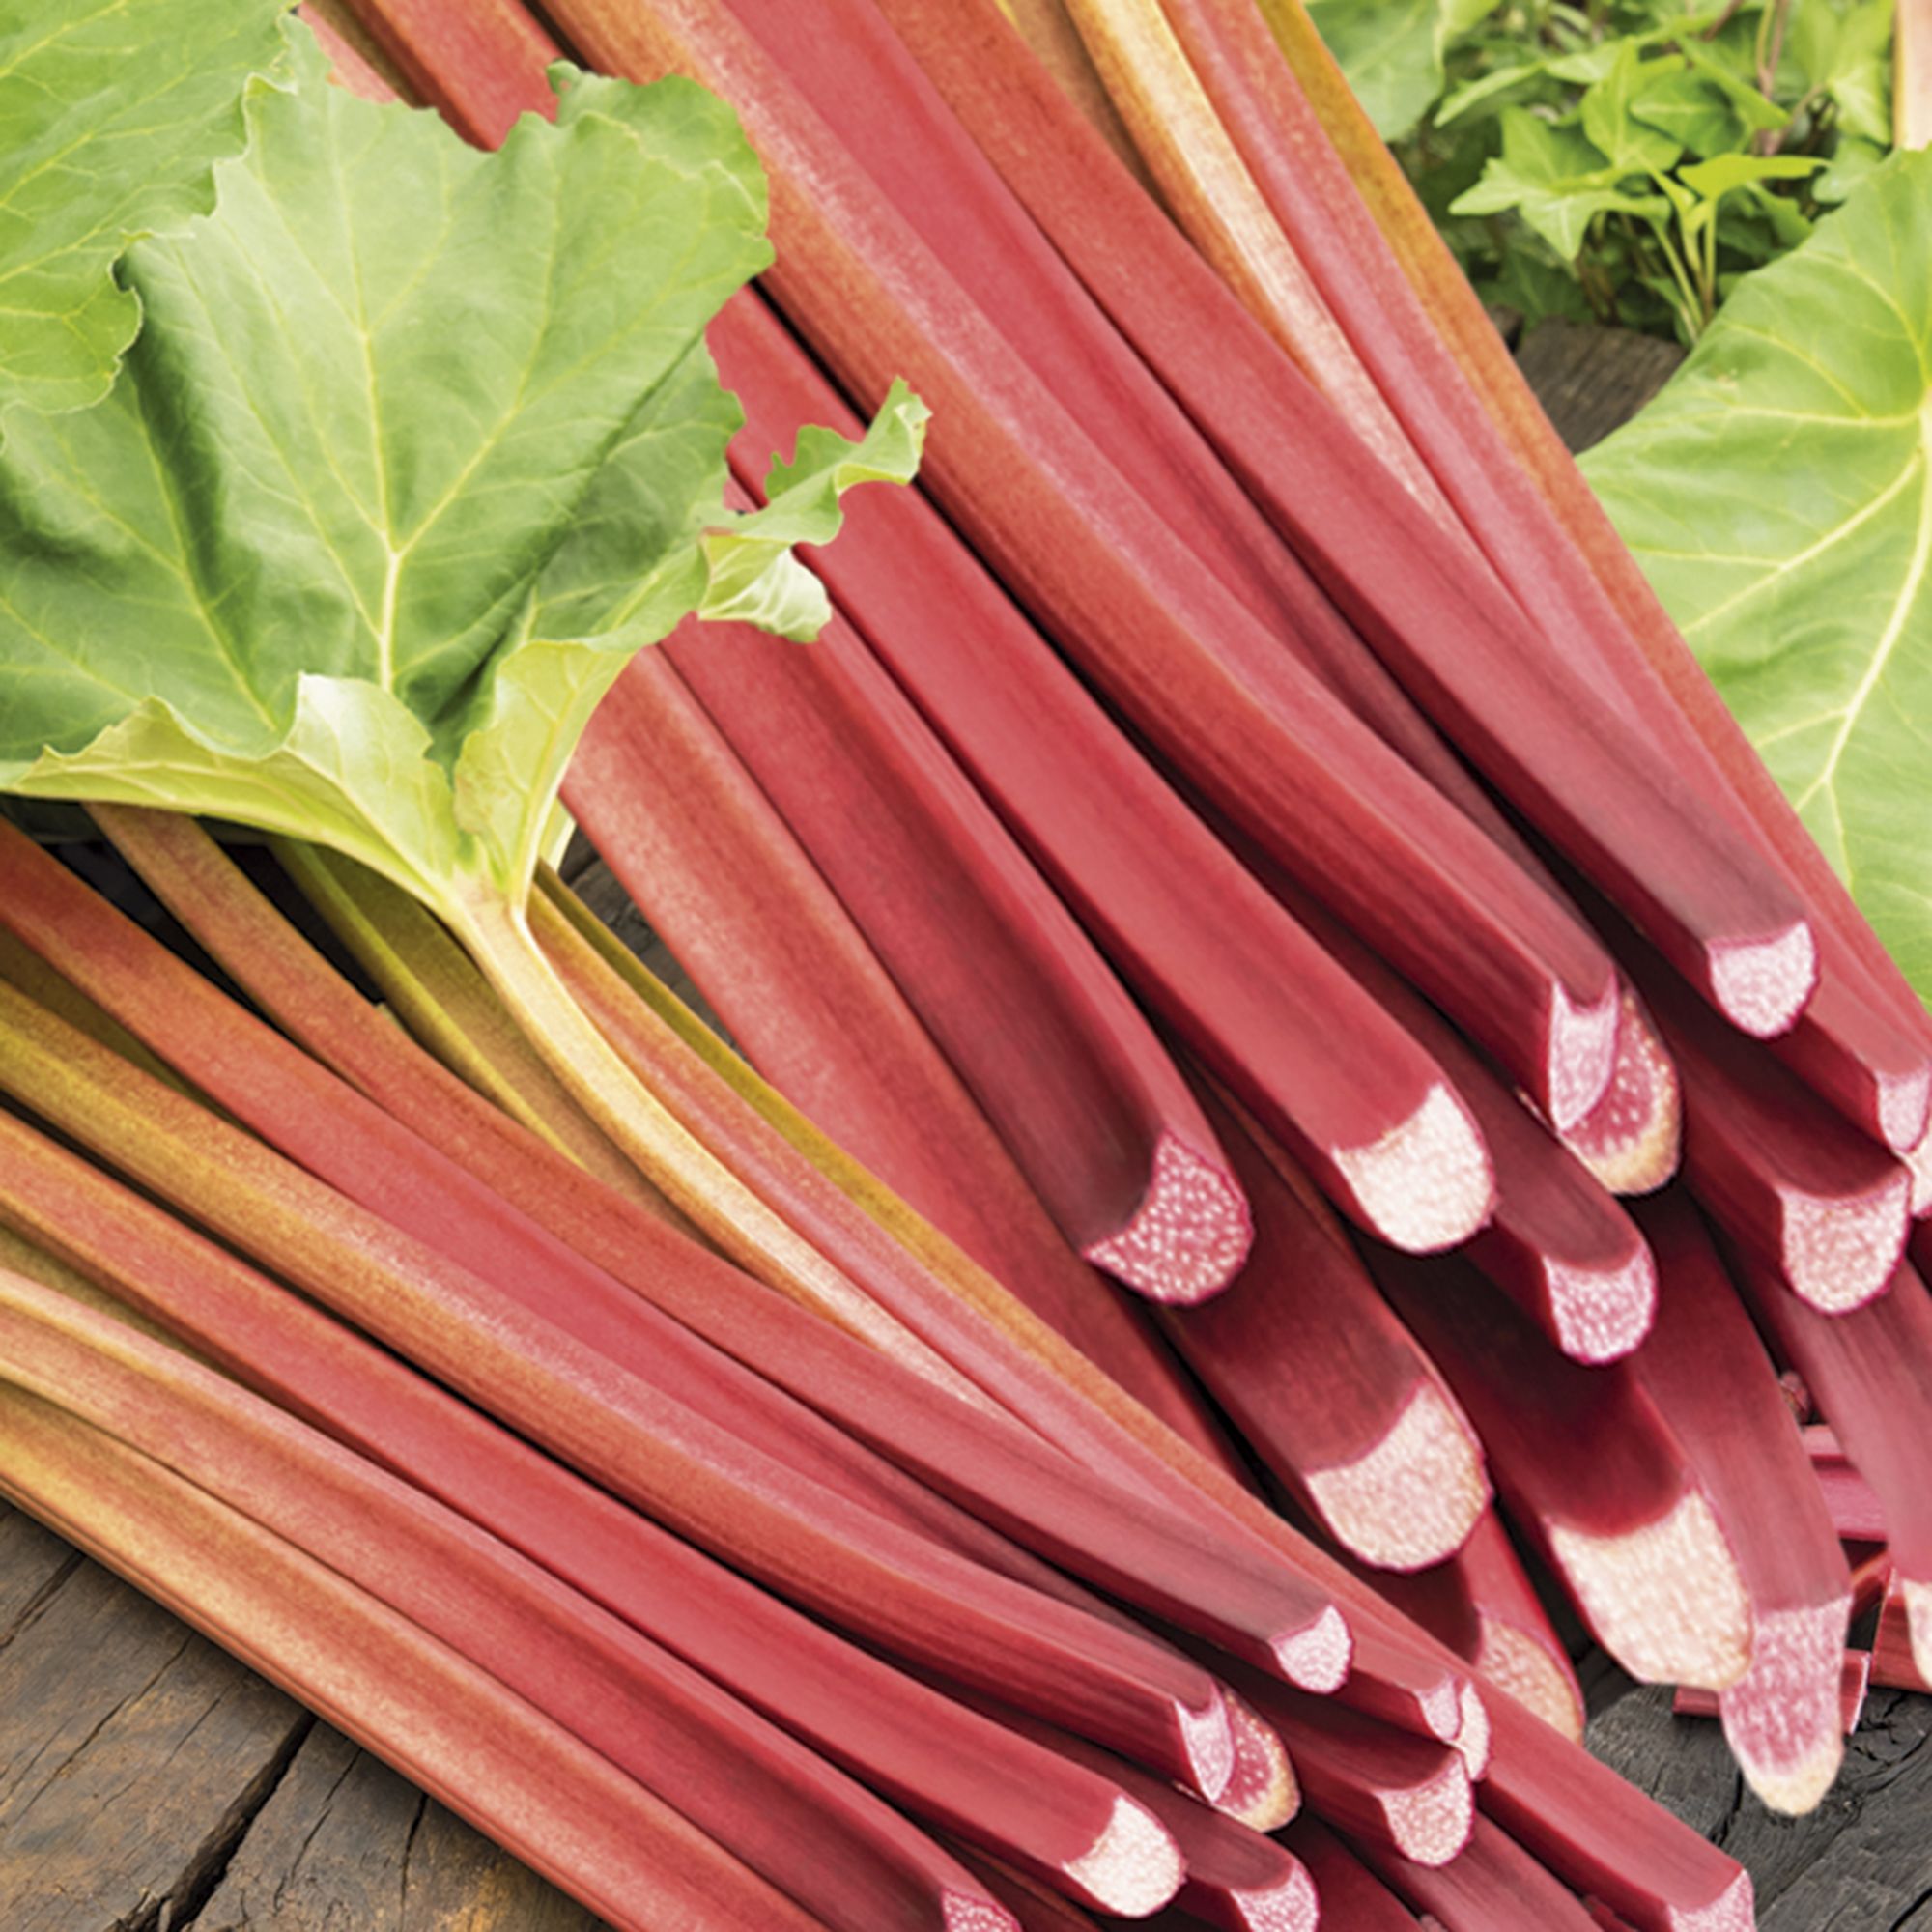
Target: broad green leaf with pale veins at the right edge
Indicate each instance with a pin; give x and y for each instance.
(1778, 497)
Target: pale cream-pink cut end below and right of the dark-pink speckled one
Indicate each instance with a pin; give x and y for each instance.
(1415, 1496)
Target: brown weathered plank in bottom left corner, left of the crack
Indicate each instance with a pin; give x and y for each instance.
(132, 1753)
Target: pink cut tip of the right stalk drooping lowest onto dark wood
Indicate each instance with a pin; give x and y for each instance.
(1784, 1719)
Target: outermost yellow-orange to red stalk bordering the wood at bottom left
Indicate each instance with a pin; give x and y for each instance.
(449, 1726)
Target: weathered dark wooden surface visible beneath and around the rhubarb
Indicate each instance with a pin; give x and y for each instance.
(152, 1784)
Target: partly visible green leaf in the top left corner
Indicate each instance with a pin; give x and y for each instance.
(113, 115)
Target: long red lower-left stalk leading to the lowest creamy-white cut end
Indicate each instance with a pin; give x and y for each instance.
(921, 1749)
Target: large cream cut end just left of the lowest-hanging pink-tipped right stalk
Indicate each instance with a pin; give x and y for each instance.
(1666, 1599)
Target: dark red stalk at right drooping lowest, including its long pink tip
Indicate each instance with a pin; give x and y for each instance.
(1719, 1392)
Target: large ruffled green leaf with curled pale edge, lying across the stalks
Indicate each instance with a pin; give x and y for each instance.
(414, 449)
